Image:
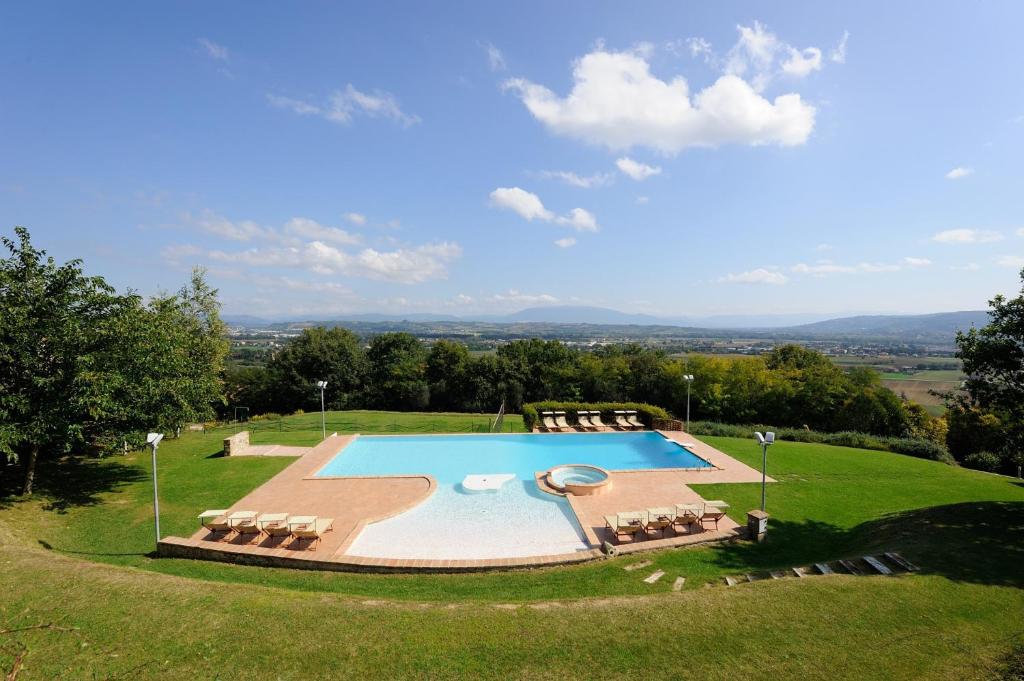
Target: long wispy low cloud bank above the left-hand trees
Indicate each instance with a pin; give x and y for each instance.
(306, 245)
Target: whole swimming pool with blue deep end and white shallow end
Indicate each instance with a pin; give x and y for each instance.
(517, 520)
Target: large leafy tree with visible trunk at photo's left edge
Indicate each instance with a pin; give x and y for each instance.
(55, 321)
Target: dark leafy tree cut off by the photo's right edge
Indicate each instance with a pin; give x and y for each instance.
(994, 363)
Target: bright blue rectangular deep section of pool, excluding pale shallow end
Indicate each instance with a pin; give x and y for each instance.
(450, 458)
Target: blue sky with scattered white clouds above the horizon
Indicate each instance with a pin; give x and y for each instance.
(667, 158)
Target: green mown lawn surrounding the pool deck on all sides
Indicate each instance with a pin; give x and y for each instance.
(89, 535)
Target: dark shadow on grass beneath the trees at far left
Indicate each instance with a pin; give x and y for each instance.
(71, 481)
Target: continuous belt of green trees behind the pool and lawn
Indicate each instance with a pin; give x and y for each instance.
(791, 387)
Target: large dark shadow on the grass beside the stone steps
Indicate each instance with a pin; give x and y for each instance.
(977, 542)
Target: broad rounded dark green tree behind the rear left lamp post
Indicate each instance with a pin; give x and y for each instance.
(334, 356)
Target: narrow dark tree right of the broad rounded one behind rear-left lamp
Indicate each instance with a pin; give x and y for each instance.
(398, 378)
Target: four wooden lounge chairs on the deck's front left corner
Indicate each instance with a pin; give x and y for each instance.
(252, 527)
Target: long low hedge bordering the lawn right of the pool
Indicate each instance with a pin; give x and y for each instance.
(914, 447)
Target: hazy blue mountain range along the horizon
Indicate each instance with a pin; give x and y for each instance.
(910, 327)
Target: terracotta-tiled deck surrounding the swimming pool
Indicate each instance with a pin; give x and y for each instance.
(355, 502)
